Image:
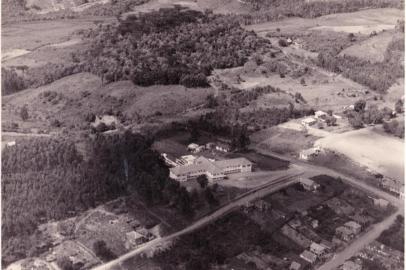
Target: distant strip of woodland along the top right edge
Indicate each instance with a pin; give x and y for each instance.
(272, 10)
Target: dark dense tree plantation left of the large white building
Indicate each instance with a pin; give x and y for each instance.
(46, 179)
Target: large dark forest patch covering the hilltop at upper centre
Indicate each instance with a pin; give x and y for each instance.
(169, 46)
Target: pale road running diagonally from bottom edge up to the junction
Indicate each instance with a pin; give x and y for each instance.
(234, 204)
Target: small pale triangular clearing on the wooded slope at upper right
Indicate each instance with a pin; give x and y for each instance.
(372, 49)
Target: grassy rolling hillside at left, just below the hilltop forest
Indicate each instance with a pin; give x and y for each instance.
(83, 93)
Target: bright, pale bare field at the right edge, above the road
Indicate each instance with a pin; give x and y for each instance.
(379, 152)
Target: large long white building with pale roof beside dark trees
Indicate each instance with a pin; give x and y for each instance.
(214, 170)
